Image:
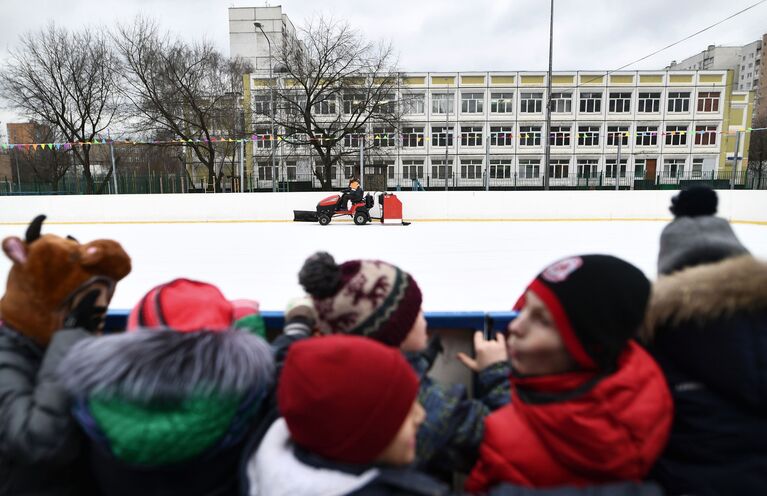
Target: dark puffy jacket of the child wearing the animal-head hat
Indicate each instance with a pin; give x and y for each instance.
(41, 446)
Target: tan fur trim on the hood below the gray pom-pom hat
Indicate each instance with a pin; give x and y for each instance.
(706, 292)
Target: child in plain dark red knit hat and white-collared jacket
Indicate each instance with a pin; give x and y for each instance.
(347, 426)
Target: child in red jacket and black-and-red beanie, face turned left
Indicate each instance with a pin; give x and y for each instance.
(588, 404)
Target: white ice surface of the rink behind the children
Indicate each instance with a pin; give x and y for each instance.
(460, 266)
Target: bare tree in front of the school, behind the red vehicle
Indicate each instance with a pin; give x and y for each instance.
(334, 86)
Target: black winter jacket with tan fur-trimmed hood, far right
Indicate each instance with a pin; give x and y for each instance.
(707, 328)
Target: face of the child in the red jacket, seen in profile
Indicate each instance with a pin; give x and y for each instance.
(534, 343)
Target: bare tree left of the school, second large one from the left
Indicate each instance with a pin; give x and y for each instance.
(189, 90)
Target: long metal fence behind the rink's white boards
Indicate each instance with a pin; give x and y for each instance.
(176, 183)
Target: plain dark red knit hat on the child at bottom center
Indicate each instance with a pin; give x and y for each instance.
(345, 397)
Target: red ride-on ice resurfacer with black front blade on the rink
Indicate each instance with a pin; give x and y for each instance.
(360, 212)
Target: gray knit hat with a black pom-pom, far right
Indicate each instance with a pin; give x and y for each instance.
(696, 236)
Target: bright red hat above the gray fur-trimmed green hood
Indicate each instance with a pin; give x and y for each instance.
(184, 306)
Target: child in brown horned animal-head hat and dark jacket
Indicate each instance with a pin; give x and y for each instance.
(57, 294)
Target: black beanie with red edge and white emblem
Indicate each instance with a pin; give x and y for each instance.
(597, 303)
